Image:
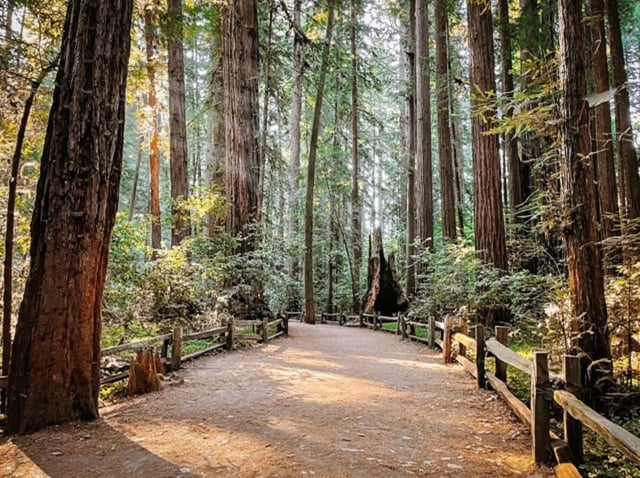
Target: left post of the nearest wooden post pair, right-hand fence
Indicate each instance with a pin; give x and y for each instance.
(540, 398)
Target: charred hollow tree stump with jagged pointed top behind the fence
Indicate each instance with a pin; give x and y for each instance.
(384, 292)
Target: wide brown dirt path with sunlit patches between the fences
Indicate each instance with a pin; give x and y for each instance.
(325, 402)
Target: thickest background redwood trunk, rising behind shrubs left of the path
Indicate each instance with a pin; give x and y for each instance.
(242, 166)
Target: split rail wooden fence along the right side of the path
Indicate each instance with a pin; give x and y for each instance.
(472, 353)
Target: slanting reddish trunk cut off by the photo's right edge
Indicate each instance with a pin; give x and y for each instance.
(627, 159)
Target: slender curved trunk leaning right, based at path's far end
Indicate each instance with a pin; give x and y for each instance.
(309, 305)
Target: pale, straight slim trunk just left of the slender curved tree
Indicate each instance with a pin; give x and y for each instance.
(293, 302)
